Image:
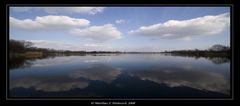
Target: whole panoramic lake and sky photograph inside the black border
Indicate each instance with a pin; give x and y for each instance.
(119, 52)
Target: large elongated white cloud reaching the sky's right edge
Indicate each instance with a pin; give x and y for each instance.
(186, 29)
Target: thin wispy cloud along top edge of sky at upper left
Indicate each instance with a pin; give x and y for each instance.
(55, 10)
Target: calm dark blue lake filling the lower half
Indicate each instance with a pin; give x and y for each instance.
(120, 76)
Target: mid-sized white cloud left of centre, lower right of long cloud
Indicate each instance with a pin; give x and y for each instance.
(98, 33)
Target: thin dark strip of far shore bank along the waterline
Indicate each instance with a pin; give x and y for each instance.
(35, 54)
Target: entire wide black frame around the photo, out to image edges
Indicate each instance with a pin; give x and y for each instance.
(122, 3)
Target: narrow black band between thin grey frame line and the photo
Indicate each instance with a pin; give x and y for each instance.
(105, 98)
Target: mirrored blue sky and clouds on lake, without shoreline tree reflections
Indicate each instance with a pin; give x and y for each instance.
(70, 73)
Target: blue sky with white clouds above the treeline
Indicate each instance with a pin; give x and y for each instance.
(121, 28)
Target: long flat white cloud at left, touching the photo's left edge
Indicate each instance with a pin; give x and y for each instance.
(48, 22)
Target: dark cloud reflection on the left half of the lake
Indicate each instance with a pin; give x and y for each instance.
(75, 79)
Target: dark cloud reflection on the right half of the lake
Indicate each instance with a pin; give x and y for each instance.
(176, 77)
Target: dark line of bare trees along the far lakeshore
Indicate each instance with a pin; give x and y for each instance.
(21, 46)
